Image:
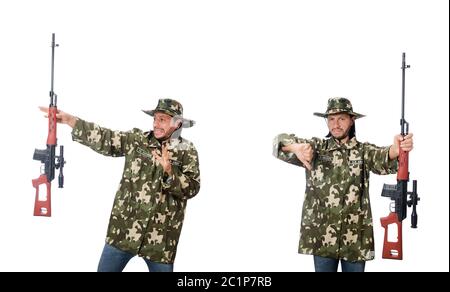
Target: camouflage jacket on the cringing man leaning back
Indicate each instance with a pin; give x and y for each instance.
(149, 206)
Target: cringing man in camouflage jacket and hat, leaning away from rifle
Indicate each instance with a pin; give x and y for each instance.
(161, 173)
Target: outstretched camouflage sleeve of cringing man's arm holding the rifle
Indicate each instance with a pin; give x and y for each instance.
(102, 140)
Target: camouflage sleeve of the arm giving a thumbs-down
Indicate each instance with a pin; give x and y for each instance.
(287, 139)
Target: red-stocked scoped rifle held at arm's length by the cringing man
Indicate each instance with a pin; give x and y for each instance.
(48, 156)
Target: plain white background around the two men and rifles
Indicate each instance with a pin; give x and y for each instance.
(245, 71)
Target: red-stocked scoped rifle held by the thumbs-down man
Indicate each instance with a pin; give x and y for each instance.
(399, 192)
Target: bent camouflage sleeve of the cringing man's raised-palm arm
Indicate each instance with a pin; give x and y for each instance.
(184, 183)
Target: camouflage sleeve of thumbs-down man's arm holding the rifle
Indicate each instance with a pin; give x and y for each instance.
(377, 160)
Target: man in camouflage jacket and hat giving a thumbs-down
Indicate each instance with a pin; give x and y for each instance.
(336, 219)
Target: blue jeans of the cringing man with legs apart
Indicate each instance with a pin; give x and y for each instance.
(115, 260)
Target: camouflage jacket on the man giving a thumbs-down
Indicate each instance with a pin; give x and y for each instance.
(336, 219)
